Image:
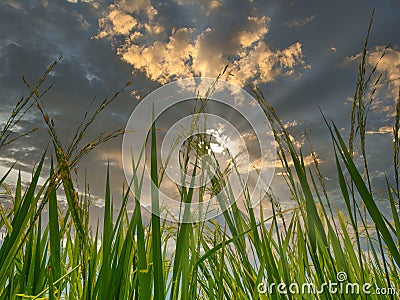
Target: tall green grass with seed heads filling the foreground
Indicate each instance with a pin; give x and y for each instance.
(239, 257)
